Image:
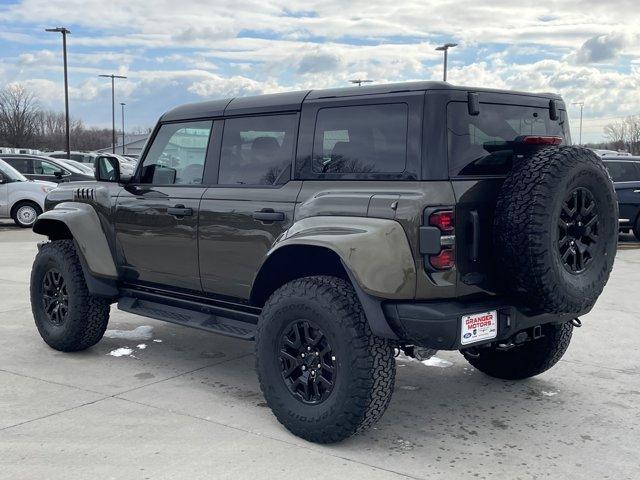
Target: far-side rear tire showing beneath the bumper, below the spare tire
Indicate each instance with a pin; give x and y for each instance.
(527, 360)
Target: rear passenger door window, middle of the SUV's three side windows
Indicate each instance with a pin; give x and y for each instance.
(257, 150)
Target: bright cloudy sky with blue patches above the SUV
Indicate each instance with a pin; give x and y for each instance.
(181, 51)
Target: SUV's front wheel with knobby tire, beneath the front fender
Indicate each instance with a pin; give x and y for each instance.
(86, 316)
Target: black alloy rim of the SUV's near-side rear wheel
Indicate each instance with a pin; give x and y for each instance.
(307, 362)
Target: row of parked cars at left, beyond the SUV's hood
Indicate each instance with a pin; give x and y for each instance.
(26, 178)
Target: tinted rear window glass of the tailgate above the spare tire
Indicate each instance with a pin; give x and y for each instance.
(484, 144)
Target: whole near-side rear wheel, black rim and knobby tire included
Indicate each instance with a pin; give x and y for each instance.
(323, 373)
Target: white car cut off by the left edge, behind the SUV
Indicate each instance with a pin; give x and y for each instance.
(20, 198)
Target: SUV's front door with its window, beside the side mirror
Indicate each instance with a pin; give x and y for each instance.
(157, 214)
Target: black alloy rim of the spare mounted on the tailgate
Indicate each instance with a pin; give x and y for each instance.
(578, 230)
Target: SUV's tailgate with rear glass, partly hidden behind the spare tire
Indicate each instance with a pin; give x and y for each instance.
(480, 154)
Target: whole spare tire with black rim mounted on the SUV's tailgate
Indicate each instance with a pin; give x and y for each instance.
(556, 230)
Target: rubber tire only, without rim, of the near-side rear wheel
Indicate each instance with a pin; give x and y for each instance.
(365, 366)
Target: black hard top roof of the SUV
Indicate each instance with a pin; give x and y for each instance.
(292, 101)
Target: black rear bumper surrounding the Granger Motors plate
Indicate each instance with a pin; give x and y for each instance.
(437, 324)
